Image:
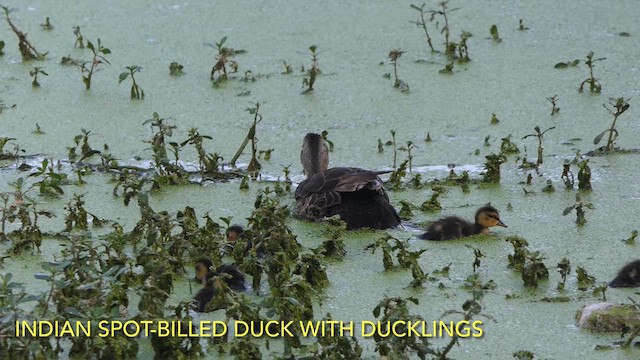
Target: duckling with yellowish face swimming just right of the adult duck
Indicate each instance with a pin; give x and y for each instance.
(453, 227)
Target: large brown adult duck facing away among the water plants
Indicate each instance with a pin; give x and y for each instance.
(357, 195)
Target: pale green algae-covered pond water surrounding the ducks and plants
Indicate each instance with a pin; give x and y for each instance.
(357, 106)
